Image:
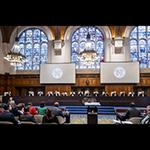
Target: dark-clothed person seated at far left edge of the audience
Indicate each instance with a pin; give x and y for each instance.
(6, 115)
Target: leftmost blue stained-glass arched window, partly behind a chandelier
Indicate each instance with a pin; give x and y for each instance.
(33, 44)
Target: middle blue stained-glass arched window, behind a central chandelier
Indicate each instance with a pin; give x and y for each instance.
(78, 40)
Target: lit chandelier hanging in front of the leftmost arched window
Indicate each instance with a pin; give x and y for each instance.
(14, 56)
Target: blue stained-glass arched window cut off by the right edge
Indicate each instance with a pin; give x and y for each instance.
(140, 45)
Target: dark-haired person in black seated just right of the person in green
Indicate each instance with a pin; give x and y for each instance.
(49, 118)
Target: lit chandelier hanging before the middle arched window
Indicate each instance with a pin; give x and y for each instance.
(89, 55)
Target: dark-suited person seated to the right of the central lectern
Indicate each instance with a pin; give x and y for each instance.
(131, 112)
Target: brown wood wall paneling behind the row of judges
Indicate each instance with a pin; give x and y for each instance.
(25, 82)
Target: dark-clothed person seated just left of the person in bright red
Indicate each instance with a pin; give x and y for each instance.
(27, 116)
